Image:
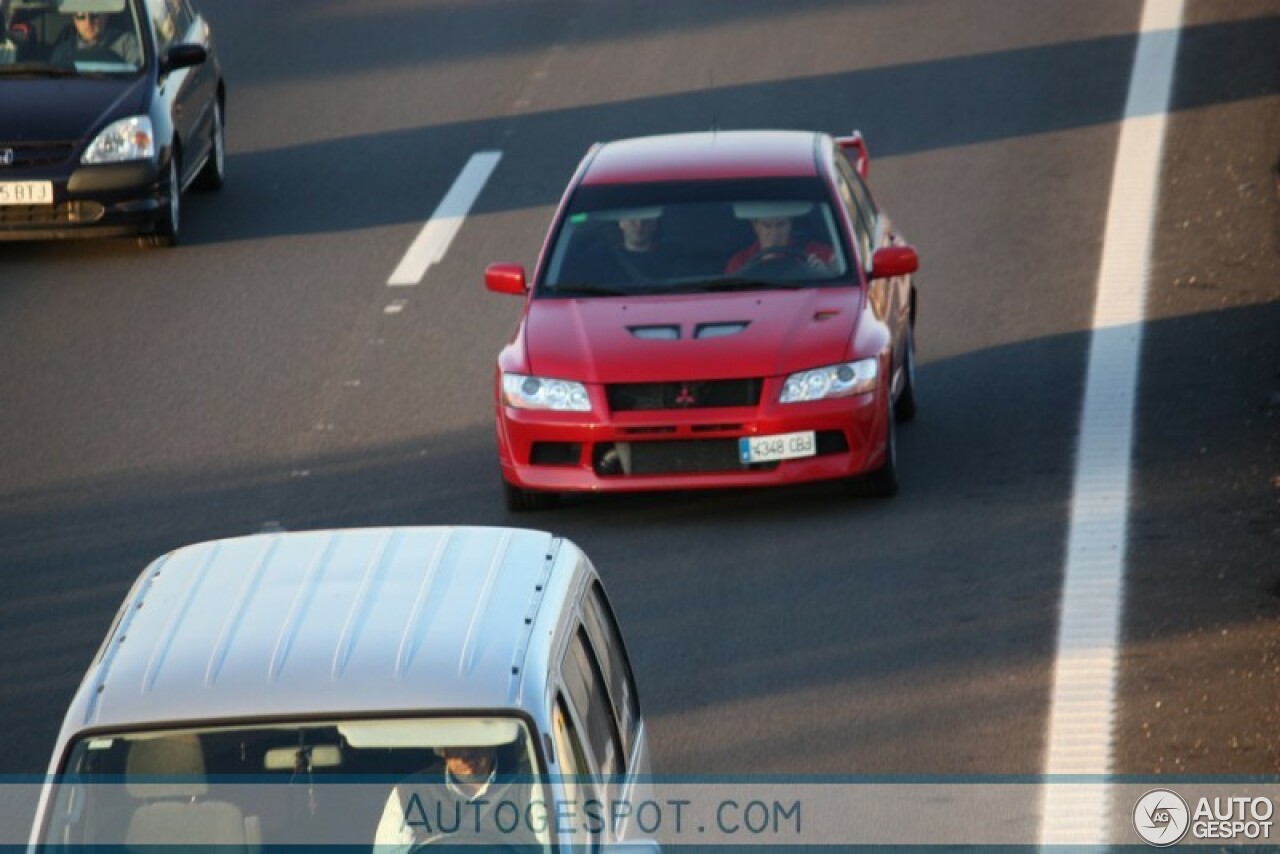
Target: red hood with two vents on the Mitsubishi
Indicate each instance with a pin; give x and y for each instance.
(738, 335)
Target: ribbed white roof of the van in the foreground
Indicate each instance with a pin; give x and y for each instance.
(337, 622)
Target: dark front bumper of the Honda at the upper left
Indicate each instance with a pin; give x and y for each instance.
(92, 202)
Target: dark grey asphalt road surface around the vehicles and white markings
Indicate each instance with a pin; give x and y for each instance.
(264, 375)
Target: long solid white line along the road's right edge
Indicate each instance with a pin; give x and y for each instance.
(1084, 701)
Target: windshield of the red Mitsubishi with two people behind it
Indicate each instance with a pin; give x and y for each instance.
(696, 236)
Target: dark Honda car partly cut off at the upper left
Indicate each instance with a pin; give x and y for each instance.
(111, 111)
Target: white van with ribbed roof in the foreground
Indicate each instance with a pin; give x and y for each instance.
(318, 688)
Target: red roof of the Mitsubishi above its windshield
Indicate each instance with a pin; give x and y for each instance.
(707, 156)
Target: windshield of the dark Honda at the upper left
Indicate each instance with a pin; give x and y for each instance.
(71, 38)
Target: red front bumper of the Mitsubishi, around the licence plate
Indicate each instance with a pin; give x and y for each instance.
(688, 449)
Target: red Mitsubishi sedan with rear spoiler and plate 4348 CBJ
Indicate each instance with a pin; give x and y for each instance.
(711, 310)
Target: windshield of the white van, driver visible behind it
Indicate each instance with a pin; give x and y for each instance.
(364, 783)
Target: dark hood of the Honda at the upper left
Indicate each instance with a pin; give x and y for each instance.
(62, 109)
